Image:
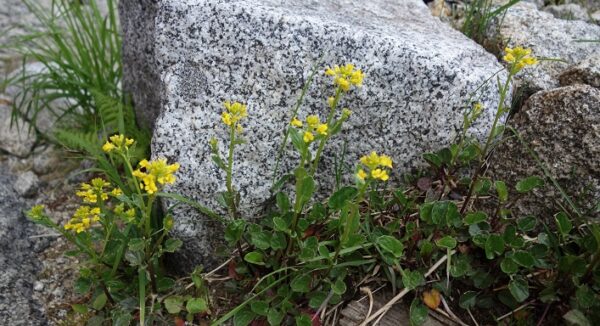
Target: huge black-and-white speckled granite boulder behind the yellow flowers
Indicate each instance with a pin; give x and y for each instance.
(419, 74)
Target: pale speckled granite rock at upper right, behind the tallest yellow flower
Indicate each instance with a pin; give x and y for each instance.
(549, 37)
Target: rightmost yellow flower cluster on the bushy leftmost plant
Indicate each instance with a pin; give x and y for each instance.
(155, 171)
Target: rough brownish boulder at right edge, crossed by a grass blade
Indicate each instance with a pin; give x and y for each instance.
(562, 127)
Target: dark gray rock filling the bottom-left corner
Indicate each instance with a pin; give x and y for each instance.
(18, 263)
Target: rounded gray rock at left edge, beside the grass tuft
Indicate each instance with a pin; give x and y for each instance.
(16, 136)
